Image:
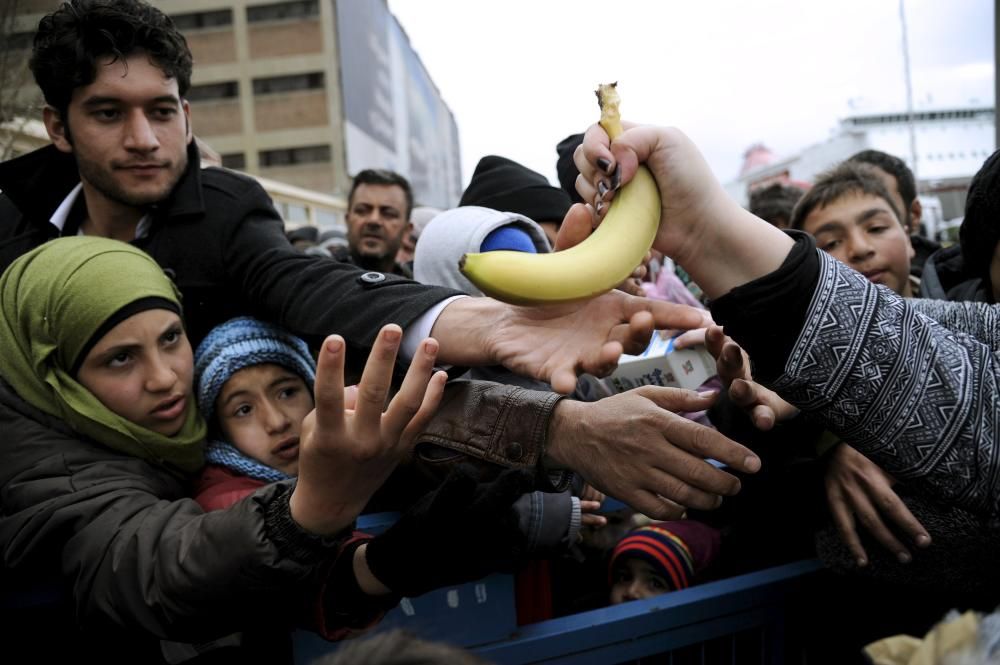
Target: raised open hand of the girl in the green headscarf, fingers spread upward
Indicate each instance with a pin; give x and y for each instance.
(346, 454)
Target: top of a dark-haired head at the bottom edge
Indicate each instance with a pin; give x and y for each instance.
(398, 647)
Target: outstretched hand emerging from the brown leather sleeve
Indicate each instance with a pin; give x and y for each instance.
(633, 446)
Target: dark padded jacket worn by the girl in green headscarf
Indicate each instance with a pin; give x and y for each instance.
(83, 517)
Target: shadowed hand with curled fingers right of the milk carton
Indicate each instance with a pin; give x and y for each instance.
(764, 406)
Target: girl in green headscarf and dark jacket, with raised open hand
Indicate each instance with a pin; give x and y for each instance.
(100, 439)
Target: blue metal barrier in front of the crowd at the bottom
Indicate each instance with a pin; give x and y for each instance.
(739, 621)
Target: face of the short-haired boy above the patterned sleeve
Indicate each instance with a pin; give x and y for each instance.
(862, 231)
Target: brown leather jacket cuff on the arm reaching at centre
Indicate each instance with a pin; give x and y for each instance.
(497, 423)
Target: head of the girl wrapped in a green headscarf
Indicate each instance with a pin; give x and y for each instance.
(64, 299)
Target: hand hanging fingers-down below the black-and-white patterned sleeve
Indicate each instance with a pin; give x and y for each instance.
(859, 491)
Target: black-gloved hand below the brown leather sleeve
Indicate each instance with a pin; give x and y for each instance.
(460, 532)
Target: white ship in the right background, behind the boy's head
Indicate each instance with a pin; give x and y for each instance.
(951, 144)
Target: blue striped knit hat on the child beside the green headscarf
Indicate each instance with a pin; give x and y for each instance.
(245, 342)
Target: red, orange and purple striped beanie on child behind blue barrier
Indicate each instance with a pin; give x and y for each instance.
(679, 549)
